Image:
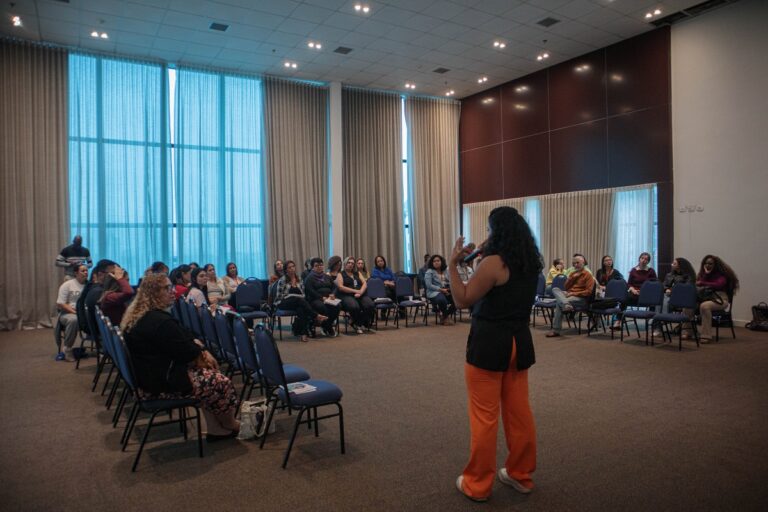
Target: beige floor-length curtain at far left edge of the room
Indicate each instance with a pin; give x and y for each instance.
(33, 181)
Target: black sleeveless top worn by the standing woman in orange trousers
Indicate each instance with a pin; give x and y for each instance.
(499, 317)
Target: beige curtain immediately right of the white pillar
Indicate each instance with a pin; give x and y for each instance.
(372, 176)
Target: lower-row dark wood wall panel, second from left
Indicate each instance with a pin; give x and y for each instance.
(526, 166)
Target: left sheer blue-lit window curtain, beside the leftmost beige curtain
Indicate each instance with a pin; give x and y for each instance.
(118, 177)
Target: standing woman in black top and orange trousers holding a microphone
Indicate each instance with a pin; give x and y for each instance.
(499, 352)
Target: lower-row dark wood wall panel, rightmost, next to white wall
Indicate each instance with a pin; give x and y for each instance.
(639, 148)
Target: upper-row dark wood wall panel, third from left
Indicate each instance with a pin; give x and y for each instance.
(577, 90)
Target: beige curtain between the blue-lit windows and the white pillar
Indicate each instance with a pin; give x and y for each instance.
(296, 158)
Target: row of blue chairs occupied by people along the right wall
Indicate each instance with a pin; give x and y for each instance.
(648, 309)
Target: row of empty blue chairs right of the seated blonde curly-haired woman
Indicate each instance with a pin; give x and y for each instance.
(253, 355)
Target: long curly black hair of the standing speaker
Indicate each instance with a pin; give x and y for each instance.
(510, 237)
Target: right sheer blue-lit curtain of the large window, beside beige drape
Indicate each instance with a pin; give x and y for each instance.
(219, 193)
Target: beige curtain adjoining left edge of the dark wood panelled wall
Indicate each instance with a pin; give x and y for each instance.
(433, 127)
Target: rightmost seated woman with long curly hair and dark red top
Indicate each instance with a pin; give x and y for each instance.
(716, 284)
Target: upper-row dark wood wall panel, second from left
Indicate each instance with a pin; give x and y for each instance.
(525, 106)
